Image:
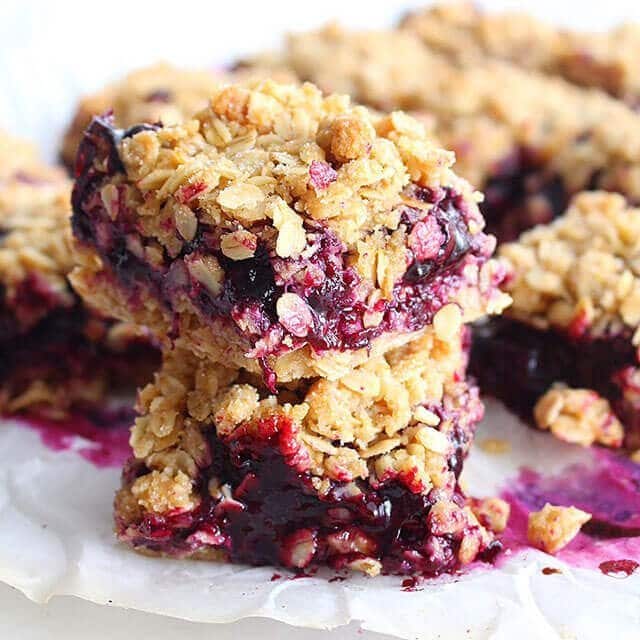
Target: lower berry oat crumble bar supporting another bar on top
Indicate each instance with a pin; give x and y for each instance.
(359, 473)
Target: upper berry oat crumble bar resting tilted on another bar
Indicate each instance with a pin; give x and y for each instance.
(281, 229)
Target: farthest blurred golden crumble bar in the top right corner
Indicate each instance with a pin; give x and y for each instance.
(606, 60)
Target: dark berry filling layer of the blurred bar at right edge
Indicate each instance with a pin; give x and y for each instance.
(518, 364)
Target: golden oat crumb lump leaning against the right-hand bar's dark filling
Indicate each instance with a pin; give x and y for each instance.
(579, 416)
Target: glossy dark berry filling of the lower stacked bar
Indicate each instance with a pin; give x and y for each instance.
(266, 510)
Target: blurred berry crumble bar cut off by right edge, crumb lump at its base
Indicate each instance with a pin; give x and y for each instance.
(575, 320)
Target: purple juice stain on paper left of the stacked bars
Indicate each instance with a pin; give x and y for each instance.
(100, 436)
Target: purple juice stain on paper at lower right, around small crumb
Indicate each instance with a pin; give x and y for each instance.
(608, 487)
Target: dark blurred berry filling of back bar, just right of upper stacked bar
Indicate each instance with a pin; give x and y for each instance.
(521, 194)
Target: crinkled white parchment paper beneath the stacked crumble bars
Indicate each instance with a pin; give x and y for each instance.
(56, 539)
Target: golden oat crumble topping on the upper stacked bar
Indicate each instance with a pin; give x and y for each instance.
(252, 163)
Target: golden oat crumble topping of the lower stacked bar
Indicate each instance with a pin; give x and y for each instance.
(375, 422)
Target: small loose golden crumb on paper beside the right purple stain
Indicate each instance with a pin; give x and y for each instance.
(553, 527)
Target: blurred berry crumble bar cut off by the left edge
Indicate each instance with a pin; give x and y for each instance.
(55, 355)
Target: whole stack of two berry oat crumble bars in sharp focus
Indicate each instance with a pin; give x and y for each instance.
(309, 267)
